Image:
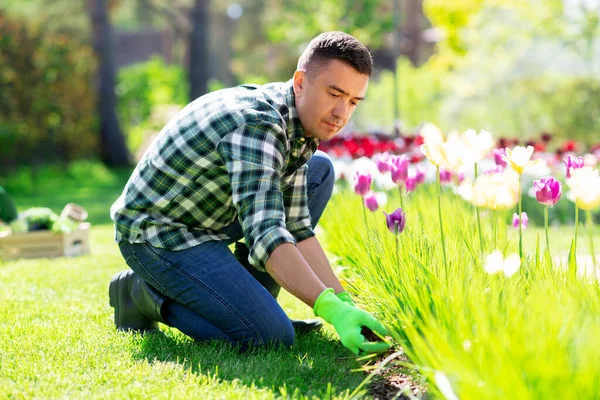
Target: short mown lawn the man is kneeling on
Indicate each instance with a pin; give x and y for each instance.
(57, 337)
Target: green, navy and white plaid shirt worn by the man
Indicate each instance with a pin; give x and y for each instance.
(237, 153)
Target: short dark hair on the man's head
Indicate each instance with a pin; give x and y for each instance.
(339, 46)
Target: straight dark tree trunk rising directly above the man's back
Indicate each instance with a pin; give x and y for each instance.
(198, 49)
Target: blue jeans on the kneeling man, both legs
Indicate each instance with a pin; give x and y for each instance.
(214, 295)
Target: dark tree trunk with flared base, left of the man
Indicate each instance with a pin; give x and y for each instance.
(113, 149)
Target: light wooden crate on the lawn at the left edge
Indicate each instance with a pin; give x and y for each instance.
(41, 244)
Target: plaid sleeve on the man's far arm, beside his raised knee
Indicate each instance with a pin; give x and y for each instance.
(295, 198)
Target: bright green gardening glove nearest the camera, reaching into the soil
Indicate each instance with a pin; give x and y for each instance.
(348, 322)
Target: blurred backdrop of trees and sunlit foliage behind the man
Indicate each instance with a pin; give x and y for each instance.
(96, 80)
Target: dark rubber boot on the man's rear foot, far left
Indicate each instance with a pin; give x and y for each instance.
(137, 305)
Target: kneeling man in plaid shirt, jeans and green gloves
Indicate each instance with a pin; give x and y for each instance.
(238, 164)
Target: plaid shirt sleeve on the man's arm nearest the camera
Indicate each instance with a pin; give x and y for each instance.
(254, 156)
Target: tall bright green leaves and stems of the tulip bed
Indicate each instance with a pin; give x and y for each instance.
(531, 336)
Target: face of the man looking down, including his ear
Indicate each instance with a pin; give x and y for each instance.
(326, 102)
